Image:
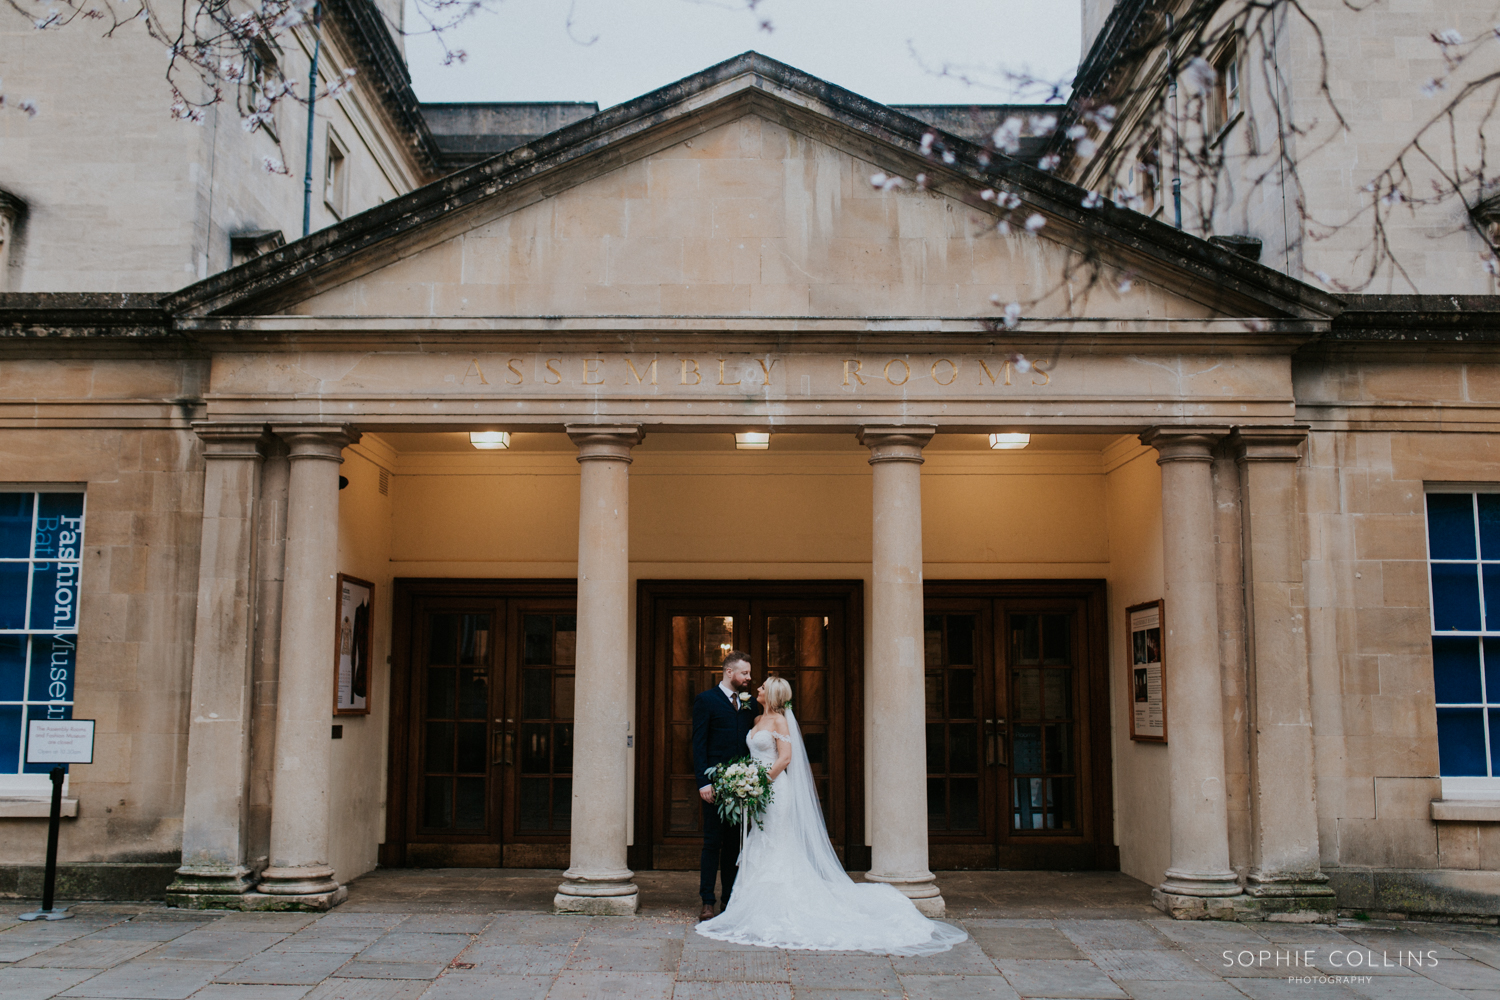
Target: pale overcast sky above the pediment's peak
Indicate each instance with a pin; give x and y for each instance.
(617, 50)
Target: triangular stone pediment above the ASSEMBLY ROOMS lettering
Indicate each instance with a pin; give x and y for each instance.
(748, 193)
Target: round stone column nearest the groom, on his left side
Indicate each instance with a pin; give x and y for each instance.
(598, 879)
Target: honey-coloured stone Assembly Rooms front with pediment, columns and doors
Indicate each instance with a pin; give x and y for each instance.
(272, 457)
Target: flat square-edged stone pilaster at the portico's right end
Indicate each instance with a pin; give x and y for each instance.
(1285, 840)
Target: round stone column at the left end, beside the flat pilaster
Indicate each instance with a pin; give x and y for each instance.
(299, 863)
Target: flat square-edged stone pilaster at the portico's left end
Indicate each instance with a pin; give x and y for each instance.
(215, 803)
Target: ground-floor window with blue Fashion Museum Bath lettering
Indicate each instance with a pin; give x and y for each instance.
(41, 545)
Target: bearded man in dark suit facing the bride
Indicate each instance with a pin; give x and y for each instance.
(722, 717)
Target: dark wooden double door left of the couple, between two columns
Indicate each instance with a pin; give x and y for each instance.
(482, 723)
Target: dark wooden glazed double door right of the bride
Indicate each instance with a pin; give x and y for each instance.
(1016, 696)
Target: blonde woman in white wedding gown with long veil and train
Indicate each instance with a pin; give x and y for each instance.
(791, 891)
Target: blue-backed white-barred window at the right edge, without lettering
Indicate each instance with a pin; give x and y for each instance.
(1463, 543)
